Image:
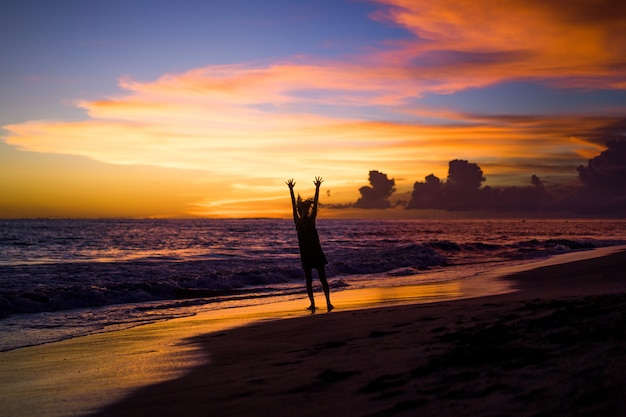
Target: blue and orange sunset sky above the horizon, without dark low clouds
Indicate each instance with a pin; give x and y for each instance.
(151, 108)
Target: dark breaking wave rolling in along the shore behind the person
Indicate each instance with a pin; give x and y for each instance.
(65, 286)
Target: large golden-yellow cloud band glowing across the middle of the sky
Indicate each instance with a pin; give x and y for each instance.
(175, 122)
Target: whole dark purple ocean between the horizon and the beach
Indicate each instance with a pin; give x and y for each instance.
(67, 278)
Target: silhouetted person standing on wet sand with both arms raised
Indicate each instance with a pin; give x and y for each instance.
(311, 254)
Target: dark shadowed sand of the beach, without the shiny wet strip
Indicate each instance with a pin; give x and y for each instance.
(556, 347)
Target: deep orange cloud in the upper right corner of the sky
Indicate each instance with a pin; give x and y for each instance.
(465, 44)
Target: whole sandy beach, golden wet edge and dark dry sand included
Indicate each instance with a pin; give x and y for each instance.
(552, 342)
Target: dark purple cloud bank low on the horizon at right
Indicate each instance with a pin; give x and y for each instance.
(600, 191)
